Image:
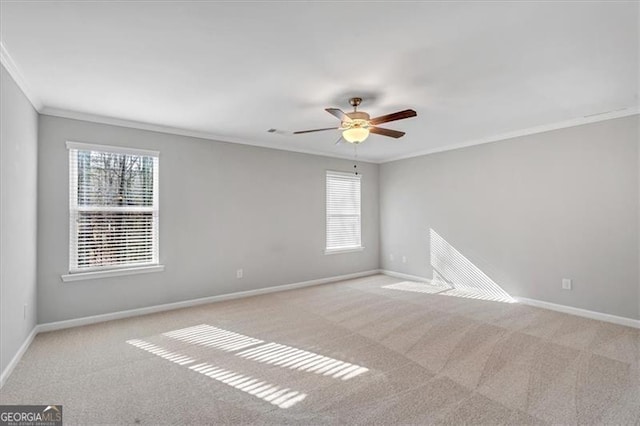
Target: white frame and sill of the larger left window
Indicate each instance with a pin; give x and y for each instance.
(154, 265)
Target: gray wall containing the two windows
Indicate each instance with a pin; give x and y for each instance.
(222, 207)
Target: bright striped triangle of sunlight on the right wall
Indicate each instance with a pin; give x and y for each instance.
(464, 279)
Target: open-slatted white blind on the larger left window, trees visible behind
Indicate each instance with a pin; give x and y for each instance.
(113, 200)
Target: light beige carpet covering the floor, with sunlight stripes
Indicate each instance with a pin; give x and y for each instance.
(363, 351)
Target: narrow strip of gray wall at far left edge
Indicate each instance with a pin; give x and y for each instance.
(18, 217)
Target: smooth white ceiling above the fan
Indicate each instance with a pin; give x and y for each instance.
(472, 71)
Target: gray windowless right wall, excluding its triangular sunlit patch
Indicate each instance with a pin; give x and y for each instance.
(527, 212)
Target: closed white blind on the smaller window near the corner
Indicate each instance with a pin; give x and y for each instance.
(343, 211)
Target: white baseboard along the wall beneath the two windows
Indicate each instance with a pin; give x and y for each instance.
(76, 322)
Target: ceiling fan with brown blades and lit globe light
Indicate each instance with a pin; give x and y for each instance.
(357, 125)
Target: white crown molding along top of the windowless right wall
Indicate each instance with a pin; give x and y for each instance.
(594, 118)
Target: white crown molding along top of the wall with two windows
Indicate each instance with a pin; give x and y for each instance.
(93, 118)
